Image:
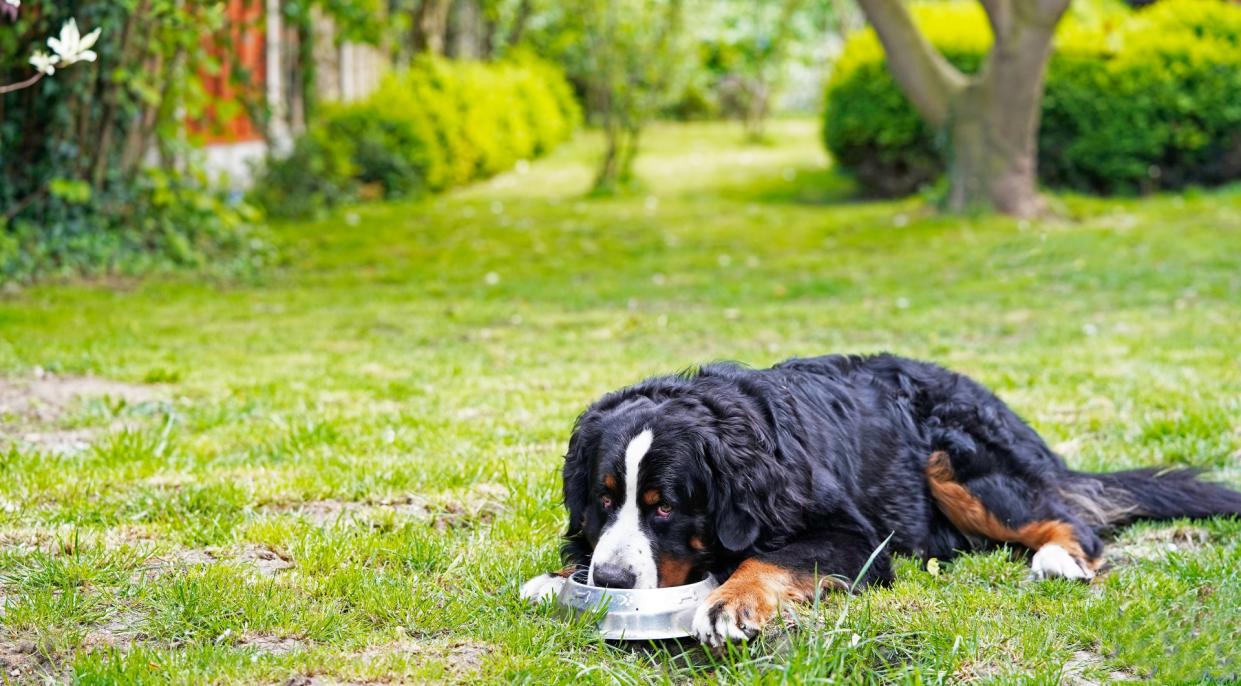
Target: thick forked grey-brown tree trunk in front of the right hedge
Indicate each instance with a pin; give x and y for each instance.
(991, 120)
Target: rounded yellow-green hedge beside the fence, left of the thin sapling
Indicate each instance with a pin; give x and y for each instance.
(432, 127)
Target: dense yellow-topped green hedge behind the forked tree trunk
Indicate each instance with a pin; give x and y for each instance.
(1136, 102)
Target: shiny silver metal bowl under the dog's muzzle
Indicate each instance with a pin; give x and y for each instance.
(645, 615)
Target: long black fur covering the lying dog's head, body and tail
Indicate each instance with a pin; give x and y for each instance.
(811, 465)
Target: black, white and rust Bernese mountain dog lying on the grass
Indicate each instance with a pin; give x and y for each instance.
(785, 483)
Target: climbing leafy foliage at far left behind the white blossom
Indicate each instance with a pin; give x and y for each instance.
(75, 185)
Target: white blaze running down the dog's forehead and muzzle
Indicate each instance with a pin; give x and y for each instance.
(624, 543)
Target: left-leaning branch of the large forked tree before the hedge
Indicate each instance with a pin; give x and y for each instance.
(926, 79)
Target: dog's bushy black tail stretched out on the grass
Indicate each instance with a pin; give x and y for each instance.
(1118, 498)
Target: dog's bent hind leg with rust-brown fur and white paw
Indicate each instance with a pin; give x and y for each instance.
(1005, 509)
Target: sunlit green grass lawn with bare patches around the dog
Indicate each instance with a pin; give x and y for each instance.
(343, 473)
